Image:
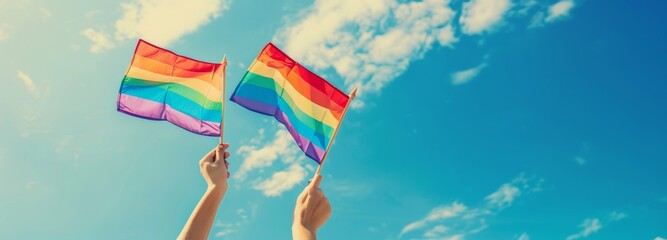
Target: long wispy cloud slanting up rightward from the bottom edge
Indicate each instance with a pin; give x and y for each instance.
(457, 220)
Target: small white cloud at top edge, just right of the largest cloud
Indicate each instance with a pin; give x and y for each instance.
(480, 16)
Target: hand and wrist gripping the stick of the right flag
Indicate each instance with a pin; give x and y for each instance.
(312, 210)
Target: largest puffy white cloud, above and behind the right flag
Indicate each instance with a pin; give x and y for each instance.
(367, 42)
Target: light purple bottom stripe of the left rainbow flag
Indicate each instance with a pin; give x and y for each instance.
(151, 110)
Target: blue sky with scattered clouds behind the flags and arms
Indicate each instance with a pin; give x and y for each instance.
(477, 119)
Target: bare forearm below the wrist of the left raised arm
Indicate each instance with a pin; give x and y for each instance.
(201, 220)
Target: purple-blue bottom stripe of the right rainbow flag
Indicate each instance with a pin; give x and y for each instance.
(304, 143)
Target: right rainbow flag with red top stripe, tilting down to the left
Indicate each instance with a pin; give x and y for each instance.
(309, 106)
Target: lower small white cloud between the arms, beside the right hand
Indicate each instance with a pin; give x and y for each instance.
(282, 181)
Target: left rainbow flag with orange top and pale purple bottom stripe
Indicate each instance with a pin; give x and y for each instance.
(161, 85)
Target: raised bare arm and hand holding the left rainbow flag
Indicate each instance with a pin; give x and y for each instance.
(214, 169)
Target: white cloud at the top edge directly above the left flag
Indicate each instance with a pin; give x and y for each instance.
(164, 21)
